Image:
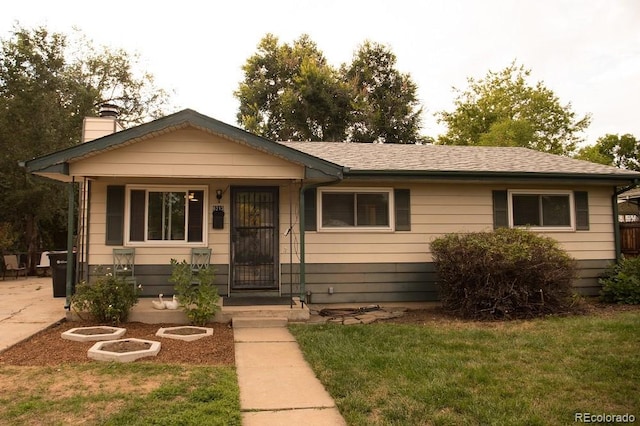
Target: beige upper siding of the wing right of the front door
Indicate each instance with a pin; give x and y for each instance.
(438, 209)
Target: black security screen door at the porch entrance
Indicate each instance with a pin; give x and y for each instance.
(254, 238)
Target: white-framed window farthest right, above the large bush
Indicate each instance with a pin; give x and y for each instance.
(537, 209)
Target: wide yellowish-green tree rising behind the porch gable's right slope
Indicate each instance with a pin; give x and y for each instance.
(290, 93)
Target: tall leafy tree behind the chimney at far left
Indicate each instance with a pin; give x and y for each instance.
(47, 86)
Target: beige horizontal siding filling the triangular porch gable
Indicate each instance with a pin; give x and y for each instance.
(187, 153)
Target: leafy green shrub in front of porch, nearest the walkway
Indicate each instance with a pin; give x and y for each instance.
(197, 294)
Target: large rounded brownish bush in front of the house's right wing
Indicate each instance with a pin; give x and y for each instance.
(508, 273)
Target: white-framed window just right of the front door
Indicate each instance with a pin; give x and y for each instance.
(343, 209)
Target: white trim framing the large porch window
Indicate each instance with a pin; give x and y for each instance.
(160, 243)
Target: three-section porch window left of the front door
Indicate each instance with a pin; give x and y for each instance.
(165, 215)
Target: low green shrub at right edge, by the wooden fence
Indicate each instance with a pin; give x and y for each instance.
(621, 282)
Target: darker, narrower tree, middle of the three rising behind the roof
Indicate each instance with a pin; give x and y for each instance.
(385, 105)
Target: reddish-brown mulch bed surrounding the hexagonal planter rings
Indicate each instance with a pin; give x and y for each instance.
(48, 348)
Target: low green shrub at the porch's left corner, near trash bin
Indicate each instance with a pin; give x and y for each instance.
(108, 299)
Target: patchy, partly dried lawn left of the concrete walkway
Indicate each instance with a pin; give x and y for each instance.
(120, 394)
